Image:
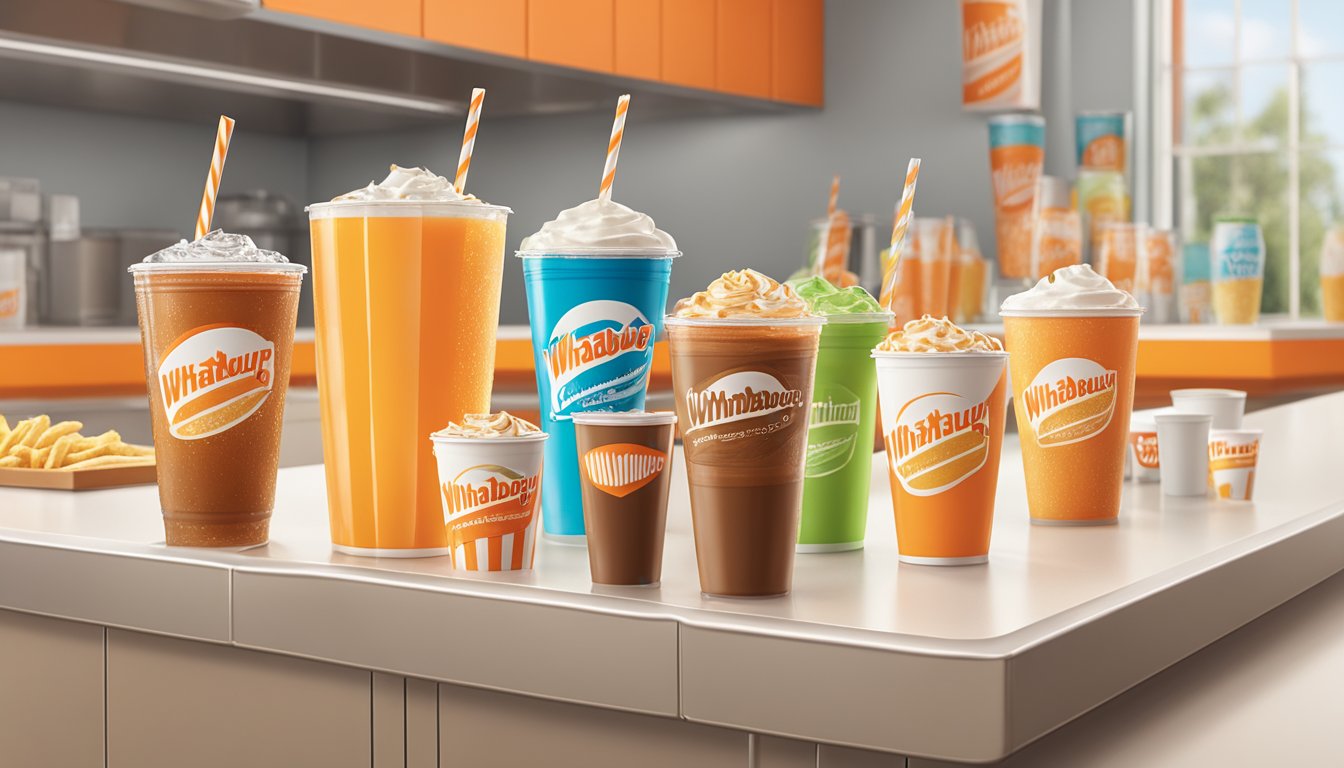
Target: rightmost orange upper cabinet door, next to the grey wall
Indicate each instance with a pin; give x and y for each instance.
(799, 52)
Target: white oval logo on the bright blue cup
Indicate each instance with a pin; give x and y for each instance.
(599, 349)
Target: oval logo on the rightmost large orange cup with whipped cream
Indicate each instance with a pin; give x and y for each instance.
(1069, 401)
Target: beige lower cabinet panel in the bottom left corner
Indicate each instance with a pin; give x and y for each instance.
(50, 693)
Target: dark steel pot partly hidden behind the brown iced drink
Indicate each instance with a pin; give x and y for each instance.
(275, 224)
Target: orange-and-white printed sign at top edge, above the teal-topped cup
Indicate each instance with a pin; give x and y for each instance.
(1001, 54)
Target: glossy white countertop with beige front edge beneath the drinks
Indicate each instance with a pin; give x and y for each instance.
(1048, 599)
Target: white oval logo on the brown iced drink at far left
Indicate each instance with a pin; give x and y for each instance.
(213, 379)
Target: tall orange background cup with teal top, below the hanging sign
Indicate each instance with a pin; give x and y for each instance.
(1017, 157)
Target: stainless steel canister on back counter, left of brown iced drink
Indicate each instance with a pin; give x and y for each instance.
(83, 282)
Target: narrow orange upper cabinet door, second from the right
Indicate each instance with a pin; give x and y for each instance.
(743, 52)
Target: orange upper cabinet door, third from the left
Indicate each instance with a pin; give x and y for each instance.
(572, 33)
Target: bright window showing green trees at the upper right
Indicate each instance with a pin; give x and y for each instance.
(1256, 92)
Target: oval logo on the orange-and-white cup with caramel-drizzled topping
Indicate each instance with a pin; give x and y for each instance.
(937, 442)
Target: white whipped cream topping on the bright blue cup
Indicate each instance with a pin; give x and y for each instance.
(600, 225)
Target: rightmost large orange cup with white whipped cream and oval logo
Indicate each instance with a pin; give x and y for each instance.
(1072, 342)
